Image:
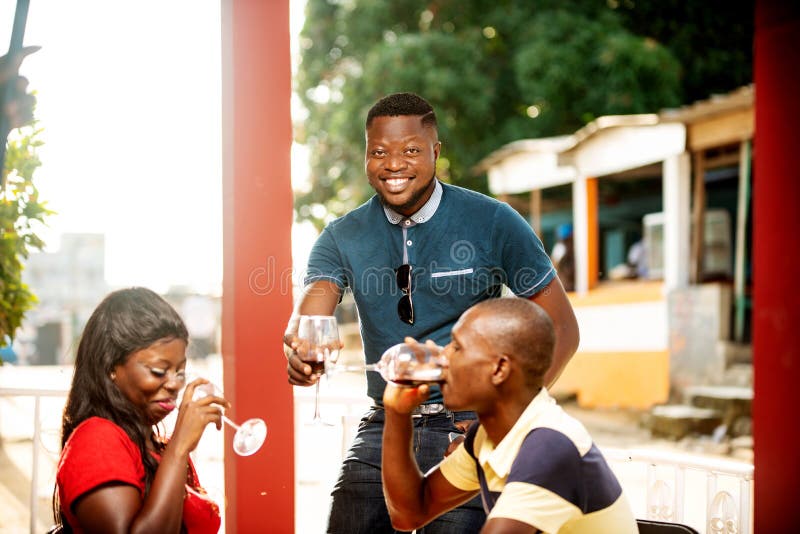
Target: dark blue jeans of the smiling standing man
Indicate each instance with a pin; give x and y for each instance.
(358, 506)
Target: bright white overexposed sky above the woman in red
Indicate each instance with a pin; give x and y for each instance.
(130, 102)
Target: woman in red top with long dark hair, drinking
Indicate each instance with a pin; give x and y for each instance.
(117, 473)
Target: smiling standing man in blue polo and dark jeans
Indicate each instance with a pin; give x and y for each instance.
(416, 256)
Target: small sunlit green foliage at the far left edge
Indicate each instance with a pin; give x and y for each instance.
(21, 211)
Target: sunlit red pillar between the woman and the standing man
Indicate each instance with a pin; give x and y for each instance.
(257, 218)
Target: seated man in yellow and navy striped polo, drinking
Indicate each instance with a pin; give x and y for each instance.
(534, 466)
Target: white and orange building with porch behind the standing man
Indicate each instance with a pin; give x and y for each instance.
(660, 206)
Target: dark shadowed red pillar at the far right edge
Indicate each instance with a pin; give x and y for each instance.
(776, 255)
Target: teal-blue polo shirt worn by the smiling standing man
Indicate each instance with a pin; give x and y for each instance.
(463, 253)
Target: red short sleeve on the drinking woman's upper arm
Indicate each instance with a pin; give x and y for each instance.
(98, 452)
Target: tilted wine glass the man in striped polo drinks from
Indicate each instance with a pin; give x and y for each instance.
(405, 364)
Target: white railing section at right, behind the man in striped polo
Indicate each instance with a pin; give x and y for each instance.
(674, 488)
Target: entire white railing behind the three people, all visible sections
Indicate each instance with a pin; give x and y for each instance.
(713, 495)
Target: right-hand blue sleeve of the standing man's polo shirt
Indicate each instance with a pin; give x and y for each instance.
(527, 265)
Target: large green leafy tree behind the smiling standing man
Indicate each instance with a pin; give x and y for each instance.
(495, 71)
